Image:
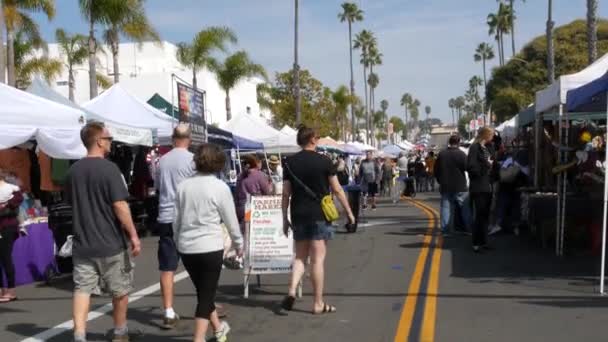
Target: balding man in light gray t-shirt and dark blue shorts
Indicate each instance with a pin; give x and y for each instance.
(174, 167)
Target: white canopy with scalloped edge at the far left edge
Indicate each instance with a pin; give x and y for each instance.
(54, 126)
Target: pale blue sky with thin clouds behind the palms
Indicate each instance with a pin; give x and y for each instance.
(428, 45)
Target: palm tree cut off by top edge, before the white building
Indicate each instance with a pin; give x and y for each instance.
(130, 22)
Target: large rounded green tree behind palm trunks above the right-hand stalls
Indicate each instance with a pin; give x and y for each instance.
(513, 86)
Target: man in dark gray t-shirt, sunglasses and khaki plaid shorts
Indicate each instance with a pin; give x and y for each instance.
(97, 192)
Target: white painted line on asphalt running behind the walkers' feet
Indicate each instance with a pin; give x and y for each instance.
(69, 325)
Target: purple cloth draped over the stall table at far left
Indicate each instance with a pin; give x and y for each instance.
(33, 254)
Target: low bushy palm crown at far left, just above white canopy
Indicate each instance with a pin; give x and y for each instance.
(28, 64)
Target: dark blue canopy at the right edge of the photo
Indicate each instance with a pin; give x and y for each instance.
(590, 97)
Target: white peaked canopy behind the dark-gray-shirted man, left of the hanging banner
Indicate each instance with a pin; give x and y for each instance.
(119, 106)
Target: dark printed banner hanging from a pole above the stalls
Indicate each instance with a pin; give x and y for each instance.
(191, 105)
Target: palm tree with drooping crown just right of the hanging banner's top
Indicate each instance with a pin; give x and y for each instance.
(235, 68)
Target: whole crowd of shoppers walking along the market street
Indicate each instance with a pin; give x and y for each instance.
(202, 221)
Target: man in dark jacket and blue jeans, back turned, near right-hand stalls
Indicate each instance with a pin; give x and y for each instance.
(450, 168)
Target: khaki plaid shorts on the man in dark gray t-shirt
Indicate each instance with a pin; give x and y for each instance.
(114, 274)
